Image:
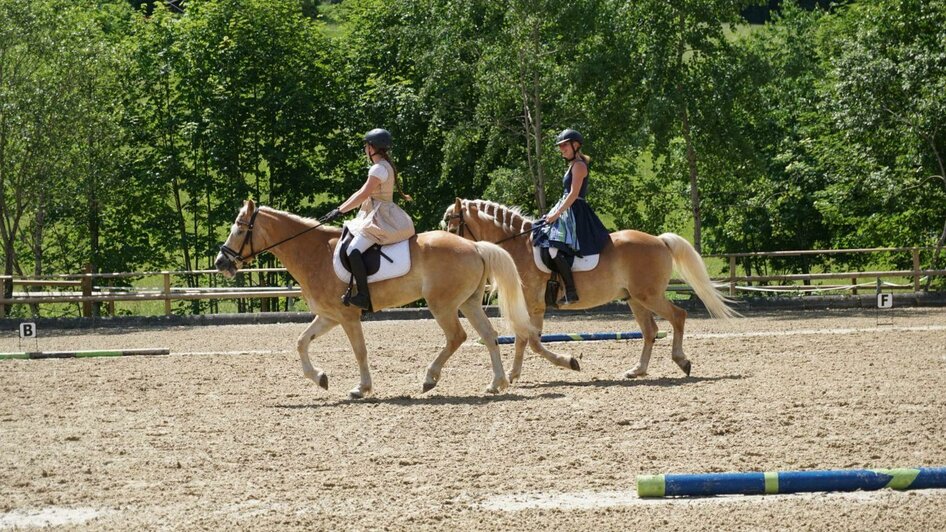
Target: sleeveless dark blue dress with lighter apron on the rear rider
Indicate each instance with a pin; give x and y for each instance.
(578, 230)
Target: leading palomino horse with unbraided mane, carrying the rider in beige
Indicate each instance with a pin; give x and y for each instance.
(448, 271)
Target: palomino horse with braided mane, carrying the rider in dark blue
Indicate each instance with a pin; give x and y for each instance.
(635, 266)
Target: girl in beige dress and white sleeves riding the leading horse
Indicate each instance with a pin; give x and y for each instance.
(379, 220)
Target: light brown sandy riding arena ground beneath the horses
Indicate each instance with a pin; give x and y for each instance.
(207, 439)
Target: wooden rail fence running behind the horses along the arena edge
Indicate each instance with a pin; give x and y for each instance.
(87, 290)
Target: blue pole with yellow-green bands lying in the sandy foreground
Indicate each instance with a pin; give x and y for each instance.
(767, 483)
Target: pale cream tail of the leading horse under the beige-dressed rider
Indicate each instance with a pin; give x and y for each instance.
(505, 280)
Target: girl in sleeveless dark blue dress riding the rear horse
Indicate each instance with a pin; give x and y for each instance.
(572, 228)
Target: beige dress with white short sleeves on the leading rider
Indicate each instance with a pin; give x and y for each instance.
(379, 219)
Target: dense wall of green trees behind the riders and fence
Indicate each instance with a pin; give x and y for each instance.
(130, 133)
